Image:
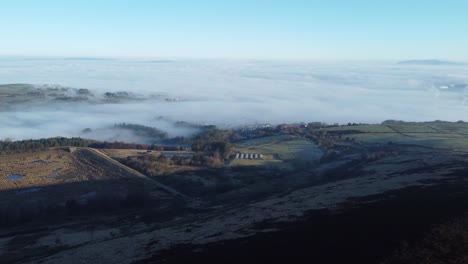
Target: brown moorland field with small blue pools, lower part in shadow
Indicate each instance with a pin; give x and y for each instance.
(57, 175)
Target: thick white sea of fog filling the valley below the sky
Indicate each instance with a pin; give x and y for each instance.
(233, 92)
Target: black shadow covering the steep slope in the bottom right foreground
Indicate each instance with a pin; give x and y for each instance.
(368, 233)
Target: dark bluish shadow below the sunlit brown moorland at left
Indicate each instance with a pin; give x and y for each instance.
(60, 203)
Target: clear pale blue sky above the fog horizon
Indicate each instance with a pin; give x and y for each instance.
(264, 29)
